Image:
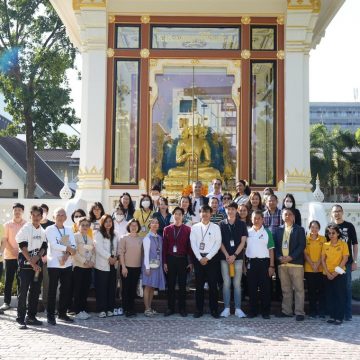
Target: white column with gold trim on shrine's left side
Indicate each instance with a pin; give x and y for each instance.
(93, 25)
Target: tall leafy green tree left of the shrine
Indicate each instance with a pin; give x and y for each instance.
(35, 52)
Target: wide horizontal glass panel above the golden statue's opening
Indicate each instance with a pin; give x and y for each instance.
(195, 38)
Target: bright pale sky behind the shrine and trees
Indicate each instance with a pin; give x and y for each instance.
(334, 64)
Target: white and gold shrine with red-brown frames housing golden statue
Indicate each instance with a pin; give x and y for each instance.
(183, 90)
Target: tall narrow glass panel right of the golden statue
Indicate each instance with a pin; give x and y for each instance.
(263, 124)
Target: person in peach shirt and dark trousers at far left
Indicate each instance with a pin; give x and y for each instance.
(11, 251)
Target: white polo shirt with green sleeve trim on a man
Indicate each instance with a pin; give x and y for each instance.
(258, 244)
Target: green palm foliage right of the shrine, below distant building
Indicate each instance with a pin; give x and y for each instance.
(332, 156)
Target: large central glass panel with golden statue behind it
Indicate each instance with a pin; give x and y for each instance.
(194, 127)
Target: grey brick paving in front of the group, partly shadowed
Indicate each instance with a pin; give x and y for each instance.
(180, 338)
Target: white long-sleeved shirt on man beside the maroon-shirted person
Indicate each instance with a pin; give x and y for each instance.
(210, 234)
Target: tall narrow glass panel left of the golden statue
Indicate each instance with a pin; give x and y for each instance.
(125, 132)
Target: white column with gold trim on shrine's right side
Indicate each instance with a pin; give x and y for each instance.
(299, 28)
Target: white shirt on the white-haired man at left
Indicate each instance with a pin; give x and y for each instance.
(55, 248)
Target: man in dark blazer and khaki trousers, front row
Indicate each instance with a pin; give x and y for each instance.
(290, 243)
